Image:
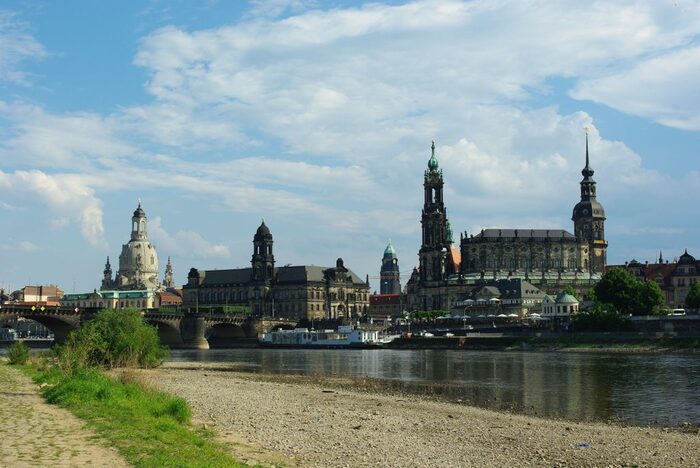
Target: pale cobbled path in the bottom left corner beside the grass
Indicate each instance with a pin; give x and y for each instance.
(34, 433)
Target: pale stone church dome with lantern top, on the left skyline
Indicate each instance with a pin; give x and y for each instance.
(138, 262)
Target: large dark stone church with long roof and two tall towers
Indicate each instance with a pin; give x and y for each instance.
(547, 258)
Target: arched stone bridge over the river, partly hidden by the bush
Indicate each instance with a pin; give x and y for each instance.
(198, 331)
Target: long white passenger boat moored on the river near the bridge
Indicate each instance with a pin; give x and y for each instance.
(346, 336)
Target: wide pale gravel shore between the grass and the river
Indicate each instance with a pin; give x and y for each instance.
(306, 423)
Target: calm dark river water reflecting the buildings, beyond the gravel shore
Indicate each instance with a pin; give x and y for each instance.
(641, 389)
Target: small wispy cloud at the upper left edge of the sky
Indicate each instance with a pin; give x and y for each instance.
(16, 46)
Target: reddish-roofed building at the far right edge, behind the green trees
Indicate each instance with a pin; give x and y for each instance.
(675, 278)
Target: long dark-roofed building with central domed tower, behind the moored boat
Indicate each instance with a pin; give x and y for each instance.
(303, 291)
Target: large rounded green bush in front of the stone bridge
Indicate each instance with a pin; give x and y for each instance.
(112, 339)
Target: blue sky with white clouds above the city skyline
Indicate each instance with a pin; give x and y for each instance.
(318, 117)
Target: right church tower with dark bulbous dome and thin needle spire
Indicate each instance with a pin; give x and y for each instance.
(589, 222)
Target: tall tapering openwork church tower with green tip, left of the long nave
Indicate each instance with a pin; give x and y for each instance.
(434, 223)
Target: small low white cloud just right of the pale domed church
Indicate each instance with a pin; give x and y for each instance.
(185, 243)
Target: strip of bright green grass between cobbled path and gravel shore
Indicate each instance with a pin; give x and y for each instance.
(148, 427)
